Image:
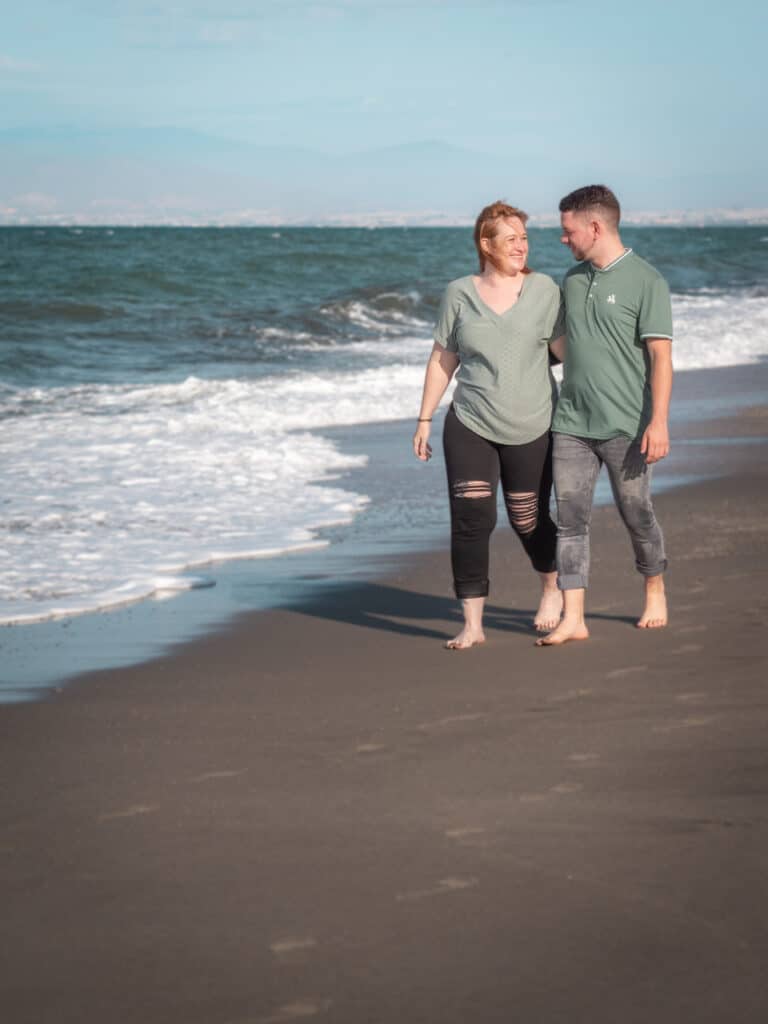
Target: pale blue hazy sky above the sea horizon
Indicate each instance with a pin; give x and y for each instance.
(349, 111)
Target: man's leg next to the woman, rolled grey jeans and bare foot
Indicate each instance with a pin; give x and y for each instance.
(576, 467)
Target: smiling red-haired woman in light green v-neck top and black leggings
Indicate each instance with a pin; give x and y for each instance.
(498, 328)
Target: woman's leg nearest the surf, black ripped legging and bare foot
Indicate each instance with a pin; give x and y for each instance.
(473, 467)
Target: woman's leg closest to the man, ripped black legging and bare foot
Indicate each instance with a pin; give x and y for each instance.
(527, 481)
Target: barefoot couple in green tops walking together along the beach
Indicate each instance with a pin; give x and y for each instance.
(499, 331)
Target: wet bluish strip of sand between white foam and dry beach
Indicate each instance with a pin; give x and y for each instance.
(406, 517)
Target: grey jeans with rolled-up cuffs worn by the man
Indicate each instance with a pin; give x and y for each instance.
(576, 463)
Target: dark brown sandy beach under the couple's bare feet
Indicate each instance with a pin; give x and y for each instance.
(319, 814)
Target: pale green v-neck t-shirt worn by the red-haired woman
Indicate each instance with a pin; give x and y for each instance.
(505, 391)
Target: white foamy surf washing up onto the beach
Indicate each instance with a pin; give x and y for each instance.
(113, 492)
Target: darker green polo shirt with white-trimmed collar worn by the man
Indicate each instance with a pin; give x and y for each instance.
(607, 376)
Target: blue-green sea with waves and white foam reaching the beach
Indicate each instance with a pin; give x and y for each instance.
(172, 399)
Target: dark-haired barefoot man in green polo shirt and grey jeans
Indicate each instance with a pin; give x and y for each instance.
(614, 405)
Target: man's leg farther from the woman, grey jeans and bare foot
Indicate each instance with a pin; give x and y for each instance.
(630, 480)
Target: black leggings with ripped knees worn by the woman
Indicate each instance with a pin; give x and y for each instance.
(475, 466)
